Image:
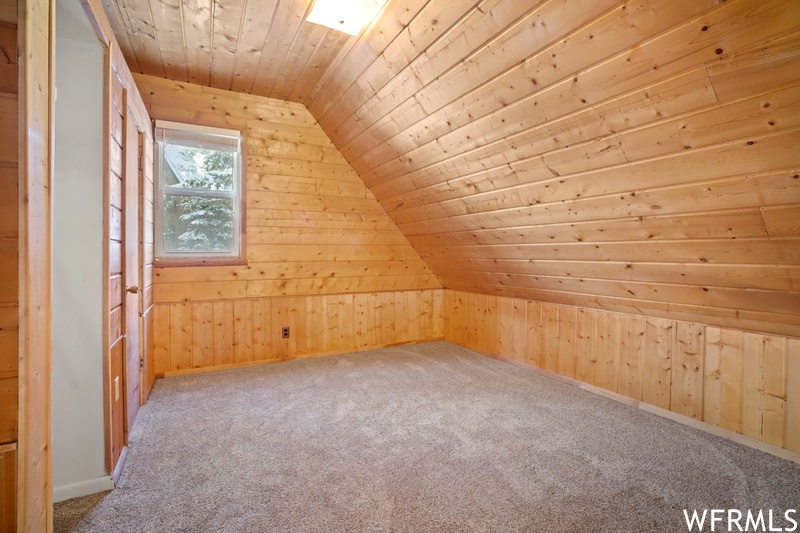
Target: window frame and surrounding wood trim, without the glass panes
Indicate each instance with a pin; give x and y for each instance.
(162, 258)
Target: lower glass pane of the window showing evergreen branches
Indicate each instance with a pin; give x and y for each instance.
(198, 224)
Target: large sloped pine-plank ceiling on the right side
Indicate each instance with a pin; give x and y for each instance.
(635, 156)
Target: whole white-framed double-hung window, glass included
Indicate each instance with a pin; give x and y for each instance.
(198, 199)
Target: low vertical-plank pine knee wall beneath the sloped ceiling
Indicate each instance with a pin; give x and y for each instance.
(744, 382)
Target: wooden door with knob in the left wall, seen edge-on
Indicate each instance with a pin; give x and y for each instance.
(131, 269)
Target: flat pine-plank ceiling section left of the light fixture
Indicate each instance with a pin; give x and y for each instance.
(262, 47)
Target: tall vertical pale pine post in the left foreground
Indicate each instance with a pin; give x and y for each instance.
(34, 499)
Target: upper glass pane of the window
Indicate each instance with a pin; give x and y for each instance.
(198, 168)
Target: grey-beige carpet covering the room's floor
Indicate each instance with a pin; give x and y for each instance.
(429, 437)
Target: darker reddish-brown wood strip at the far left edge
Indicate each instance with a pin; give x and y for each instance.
(9, 273)
